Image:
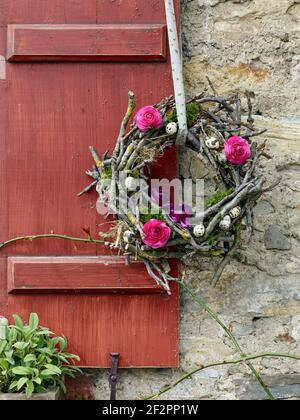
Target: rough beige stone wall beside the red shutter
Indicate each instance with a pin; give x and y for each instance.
(253, 45)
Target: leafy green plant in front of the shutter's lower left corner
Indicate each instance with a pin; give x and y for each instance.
(32, 359)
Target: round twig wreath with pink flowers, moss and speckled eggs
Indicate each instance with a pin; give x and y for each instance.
(149, 232)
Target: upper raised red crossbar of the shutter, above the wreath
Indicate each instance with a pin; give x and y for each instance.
(115, 42)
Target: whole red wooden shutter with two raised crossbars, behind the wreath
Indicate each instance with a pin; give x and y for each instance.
(69, 67)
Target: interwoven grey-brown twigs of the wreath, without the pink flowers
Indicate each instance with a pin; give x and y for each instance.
(136, 151)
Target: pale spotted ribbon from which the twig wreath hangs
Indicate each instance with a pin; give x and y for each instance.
(176, 62)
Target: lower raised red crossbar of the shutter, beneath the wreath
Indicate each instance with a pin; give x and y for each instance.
(81, 274)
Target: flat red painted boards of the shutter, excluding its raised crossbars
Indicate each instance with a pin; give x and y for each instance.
(49, 114)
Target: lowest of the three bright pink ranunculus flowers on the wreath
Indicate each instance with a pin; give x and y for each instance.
(156, 234)
